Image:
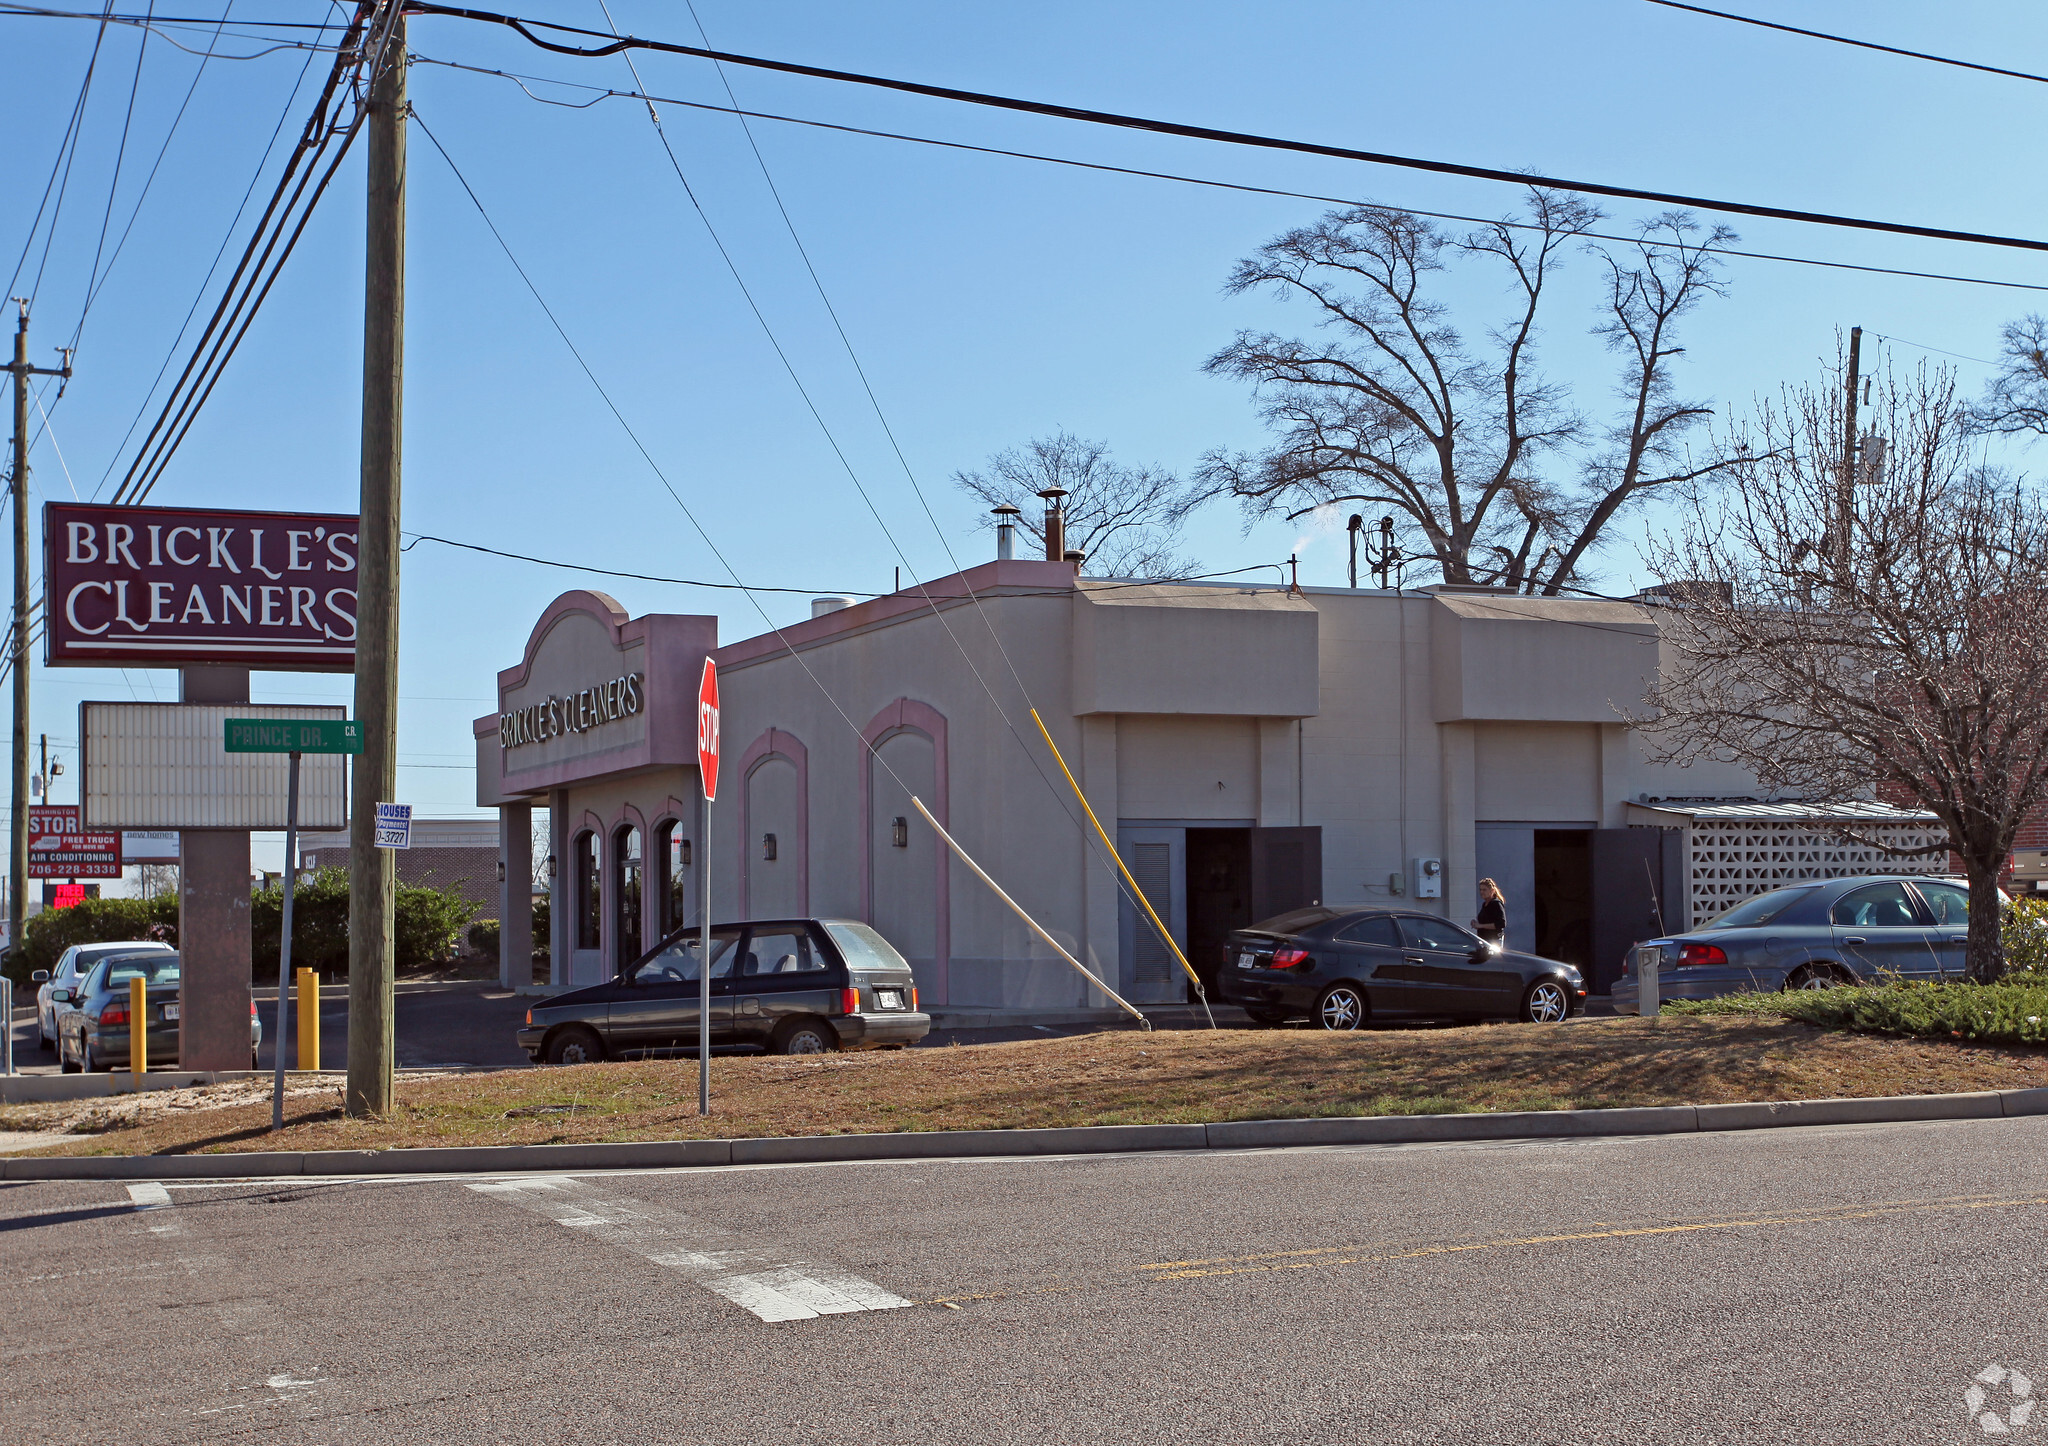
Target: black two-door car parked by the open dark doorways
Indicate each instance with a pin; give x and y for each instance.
(1345, 968)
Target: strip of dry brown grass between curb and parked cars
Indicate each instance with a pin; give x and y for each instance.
(1113, 1078)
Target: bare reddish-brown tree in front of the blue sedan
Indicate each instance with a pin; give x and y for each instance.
(1906, 665)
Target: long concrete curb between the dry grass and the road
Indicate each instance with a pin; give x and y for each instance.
(1093, 1140)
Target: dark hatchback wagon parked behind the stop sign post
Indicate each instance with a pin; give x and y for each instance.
(785, 986)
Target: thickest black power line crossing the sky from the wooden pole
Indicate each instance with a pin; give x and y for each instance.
(1209, 134)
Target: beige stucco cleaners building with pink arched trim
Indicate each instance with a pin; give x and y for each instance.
(1254, 749)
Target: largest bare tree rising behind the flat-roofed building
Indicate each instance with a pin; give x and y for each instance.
(1488, 468)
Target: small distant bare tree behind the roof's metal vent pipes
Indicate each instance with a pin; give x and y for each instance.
(1127, 519)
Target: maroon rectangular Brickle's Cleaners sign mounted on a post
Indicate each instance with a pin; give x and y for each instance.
(157, 587)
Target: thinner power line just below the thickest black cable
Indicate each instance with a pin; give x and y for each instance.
(605, 93)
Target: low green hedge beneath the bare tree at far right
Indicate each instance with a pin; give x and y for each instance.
(2008, 1013)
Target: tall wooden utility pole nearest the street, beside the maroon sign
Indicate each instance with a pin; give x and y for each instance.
(384, 376)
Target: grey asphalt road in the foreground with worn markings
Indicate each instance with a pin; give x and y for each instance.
(1822, 1285)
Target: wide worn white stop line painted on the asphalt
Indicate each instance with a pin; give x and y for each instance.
(755, 1277)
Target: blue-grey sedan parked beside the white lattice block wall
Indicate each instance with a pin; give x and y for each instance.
(1811, 937)
